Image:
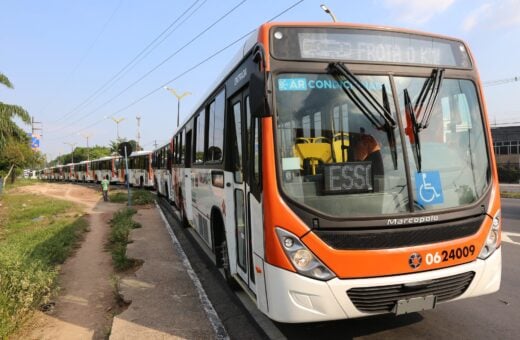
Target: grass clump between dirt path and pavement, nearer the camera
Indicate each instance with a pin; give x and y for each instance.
(121, 225)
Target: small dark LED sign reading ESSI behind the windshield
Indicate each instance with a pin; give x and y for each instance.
(347, 178)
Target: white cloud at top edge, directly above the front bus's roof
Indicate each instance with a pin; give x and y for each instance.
(418, 12)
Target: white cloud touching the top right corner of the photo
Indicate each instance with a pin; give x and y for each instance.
(500, 14)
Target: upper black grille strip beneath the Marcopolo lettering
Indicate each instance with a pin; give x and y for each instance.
(391, 237)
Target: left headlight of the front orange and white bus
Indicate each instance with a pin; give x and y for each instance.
(302, 258)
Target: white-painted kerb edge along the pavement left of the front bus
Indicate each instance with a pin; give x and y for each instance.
(217, 325)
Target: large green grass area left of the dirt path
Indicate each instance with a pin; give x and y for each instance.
(36, 235)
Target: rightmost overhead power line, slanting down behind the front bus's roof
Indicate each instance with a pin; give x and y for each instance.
(185, 72)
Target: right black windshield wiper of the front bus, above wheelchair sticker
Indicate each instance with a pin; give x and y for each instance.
(422, 109)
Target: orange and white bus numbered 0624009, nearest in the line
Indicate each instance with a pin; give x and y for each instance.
(340, 171)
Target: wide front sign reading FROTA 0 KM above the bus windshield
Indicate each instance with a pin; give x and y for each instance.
(370, 46)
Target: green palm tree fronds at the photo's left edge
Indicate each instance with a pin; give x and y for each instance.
(8, 128)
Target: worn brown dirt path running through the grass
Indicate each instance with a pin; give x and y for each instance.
(83, 309)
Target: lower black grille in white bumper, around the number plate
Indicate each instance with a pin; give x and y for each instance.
(384, 298)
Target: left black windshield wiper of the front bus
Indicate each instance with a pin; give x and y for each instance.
(383, 111)
